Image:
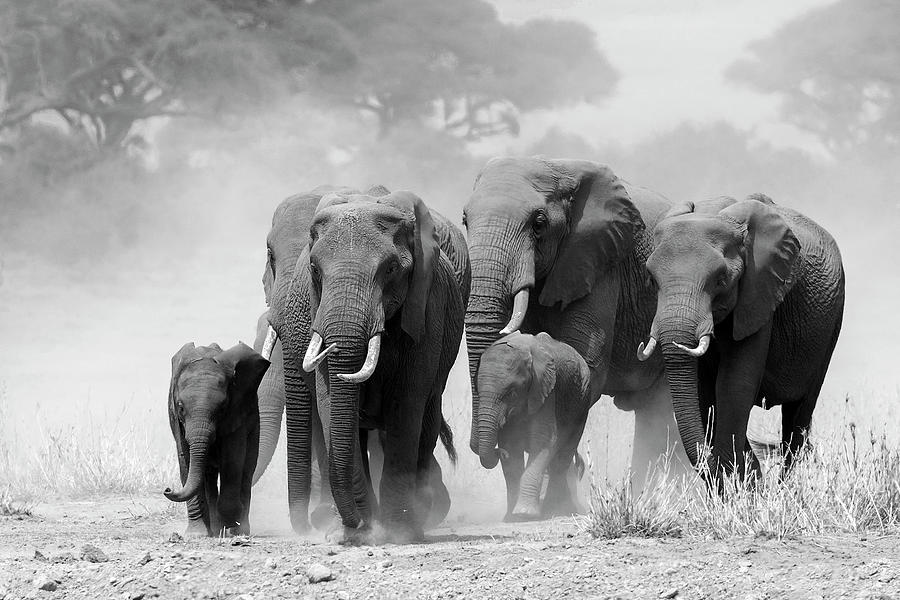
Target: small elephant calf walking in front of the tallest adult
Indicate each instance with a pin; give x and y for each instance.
(533, 391)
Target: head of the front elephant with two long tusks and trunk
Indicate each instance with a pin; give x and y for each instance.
(370, 263)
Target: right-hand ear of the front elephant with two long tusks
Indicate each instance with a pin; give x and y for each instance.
(426, 253)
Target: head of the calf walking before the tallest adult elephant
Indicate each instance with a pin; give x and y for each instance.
(515, 376)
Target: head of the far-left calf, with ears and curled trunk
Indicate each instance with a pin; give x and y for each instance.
(212, 393)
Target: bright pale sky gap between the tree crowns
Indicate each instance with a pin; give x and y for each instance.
(671, 56)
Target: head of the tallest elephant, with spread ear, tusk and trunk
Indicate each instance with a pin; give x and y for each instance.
(554, 227)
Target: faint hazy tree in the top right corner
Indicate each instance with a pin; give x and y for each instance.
(836, 69)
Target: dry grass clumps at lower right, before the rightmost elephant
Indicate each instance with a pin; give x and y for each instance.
(840, 485)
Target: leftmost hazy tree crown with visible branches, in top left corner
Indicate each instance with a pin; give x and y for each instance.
(104, 65)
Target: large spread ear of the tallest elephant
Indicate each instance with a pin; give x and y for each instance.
(603, 223)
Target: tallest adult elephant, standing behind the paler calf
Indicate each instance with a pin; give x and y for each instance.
(559, 246)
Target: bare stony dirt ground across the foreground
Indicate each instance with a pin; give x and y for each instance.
(124, 548)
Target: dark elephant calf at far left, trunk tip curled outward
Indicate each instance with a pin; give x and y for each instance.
(214, 416)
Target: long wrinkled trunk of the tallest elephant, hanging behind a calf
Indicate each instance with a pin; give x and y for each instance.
(502, 266)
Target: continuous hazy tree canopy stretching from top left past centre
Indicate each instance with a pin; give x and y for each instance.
(101, 66)
